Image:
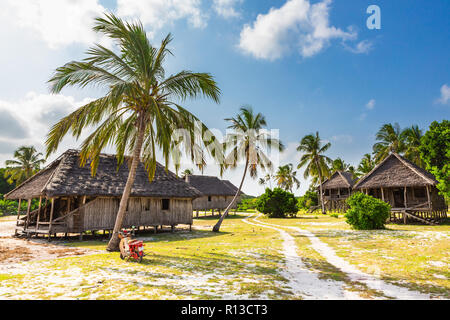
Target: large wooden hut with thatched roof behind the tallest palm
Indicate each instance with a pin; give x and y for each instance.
(71, 200)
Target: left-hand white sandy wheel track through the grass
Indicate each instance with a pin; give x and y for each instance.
(303, 281)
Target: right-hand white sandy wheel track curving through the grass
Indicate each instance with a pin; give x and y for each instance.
(352, 272)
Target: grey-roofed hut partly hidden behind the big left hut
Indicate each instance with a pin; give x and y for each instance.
(217, 193)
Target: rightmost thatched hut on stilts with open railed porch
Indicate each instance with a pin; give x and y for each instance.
(410, 190)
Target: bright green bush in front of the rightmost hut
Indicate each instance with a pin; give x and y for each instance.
(366, 212)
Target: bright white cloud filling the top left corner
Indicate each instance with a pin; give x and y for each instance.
(57, 22)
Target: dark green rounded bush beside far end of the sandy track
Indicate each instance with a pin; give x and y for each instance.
(277, 203)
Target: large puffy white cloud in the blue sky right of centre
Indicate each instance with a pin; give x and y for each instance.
(297, 25)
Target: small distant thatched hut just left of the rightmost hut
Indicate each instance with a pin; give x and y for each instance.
(336, 189)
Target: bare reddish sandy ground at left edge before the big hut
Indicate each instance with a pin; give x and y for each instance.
(14, 251)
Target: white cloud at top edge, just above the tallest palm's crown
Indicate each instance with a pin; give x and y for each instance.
(157, 13)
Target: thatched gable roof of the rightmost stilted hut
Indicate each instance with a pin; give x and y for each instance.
(396, 171)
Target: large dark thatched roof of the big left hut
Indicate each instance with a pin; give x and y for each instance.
(65, 177)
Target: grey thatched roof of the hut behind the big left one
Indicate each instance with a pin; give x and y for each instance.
(212, 186)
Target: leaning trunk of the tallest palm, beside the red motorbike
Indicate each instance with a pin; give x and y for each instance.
(113, 244)
